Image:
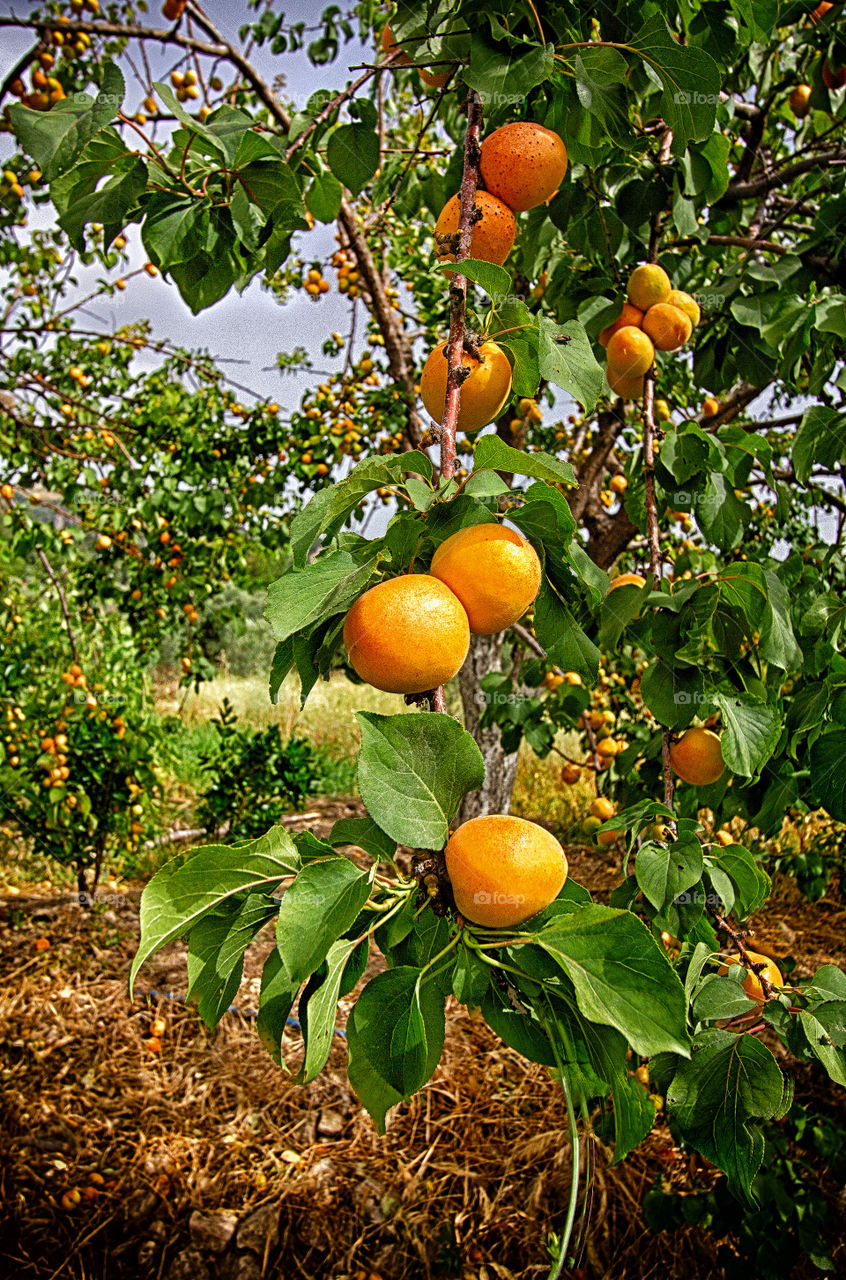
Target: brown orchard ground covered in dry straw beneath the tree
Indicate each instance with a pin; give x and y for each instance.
(207, 1162)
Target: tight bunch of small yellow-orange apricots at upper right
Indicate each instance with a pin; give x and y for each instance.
(655, 318)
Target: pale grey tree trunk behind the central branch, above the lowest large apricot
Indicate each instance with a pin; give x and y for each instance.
(501, 770)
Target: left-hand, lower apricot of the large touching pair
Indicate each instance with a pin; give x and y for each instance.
(408, 636)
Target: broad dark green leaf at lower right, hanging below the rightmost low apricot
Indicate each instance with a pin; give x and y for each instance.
(730, 1084)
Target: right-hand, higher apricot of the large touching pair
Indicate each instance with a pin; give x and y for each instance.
(495, 573)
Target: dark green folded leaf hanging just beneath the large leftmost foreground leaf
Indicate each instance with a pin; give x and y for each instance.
(217, 948)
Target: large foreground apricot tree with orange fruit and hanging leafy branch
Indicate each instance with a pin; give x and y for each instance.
(607, 426)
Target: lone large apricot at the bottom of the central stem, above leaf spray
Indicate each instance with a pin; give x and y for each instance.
(504, 870)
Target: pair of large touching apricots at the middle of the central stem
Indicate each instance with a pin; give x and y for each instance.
(411, 634)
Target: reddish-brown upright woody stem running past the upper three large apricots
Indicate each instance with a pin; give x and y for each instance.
(459, 310)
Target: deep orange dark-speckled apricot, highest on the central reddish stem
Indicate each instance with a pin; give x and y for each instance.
(523, 164)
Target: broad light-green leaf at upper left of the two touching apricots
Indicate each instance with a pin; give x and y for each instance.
(304, 597)
